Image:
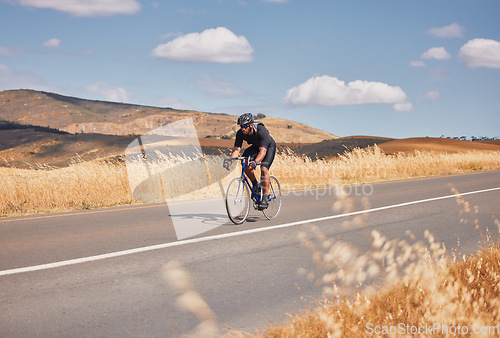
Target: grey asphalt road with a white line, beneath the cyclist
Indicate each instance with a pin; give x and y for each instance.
(98, 273)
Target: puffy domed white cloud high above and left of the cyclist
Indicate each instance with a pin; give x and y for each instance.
(212, 45)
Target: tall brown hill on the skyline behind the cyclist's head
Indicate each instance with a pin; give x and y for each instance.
(75, 115)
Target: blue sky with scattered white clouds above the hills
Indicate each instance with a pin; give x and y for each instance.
(395, 68)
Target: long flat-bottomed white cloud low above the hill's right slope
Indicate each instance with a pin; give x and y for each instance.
(330, 91)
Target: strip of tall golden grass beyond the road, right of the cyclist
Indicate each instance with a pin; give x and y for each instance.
(372, 165)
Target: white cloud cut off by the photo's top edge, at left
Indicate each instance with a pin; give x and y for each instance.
(88, 7)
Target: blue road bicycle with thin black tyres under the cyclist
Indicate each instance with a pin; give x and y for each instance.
(240, 191)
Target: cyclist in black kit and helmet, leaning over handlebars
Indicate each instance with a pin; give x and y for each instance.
(262, 150)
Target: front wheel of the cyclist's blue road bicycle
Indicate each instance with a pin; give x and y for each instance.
(237, 200)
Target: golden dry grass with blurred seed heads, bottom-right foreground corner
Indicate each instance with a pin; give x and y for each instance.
(418, 289)
